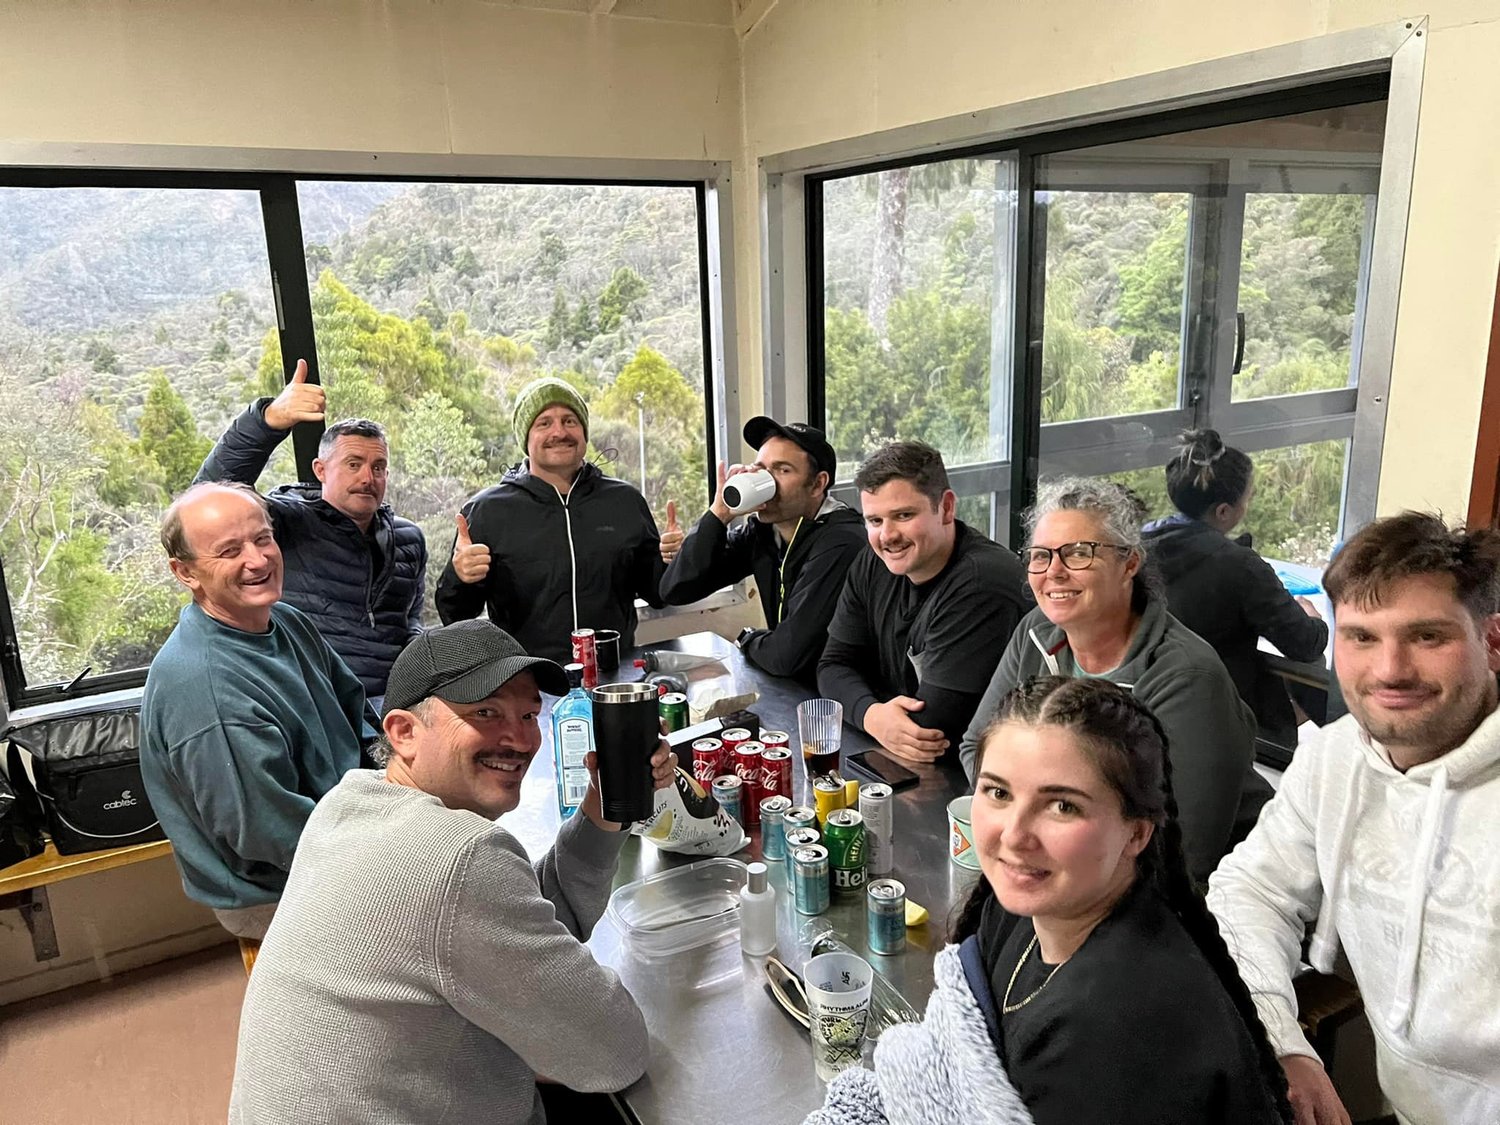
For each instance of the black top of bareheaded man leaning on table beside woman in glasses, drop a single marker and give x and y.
(947, 634)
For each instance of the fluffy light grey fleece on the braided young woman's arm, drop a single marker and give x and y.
(941, 1070)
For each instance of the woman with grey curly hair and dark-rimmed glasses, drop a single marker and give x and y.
(1099, 616)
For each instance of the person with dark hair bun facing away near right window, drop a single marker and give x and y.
(1222, 589)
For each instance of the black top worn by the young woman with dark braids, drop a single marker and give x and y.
(1133, 1030)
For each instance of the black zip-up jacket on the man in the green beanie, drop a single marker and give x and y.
(559, 563)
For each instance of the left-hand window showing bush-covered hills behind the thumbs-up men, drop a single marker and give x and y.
(142, 314)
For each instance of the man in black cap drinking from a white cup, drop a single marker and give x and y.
(799, 547)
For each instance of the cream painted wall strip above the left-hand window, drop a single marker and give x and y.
(395, 76)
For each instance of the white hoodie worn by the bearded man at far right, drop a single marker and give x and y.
(1402, 872)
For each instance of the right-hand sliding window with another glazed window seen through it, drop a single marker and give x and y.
(1208, 269)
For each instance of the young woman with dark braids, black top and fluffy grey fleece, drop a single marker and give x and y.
(1087, 985)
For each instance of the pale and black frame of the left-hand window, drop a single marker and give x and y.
(275, 176)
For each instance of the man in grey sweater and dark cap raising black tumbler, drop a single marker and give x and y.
(419, 965)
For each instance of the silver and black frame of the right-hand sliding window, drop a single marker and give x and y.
(1346, 68)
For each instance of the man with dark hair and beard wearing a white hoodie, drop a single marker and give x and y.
(1387, 832)
